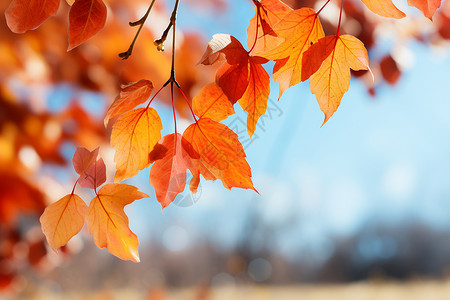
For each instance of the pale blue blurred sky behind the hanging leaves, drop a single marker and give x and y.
(382, 158)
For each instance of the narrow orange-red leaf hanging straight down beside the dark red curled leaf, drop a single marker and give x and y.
(254, 100)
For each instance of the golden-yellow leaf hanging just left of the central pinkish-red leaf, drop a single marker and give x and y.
(134, 135)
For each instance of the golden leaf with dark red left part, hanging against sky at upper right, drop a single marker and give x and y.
(330, 61)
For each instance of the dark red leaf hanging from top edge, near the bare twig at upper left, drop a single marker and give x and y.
(86, 18)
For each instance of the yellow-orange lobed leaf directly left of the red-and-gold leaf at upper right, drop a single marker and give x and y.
(300, 28)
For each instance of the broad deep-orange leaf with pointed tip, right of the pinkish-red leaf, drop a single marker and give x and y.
(221, 155)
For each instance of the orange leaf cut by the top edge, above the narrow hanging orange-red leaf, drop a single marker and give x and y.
(270, 12)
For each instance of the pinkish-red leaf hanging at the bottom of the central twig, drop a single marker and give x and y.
(173, 157)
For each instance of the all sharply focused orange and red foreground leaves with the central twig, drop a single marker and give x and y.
(293, 39)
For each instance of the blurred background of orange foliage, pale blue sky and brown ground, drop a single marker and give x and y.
(356, 209)
